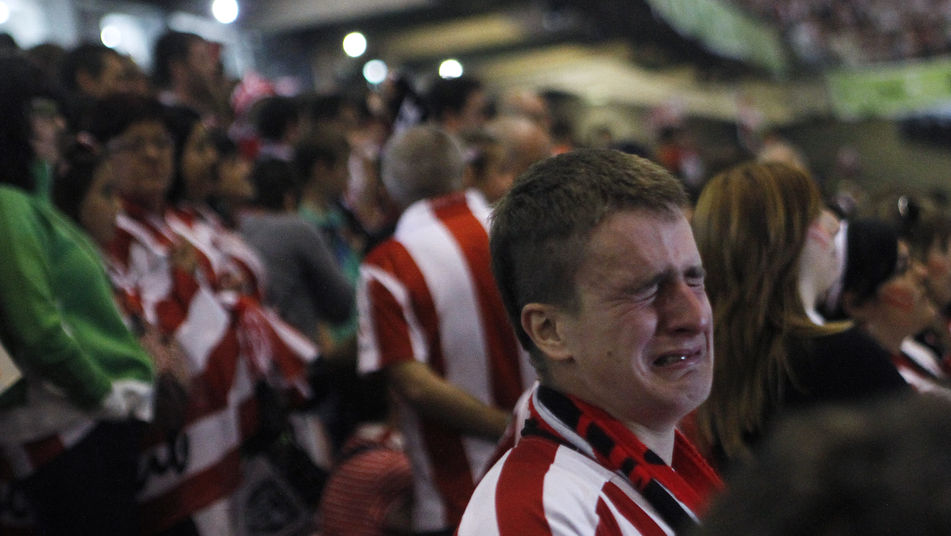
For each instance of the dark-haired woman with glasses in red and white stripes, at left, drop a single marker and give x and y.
(158, 270)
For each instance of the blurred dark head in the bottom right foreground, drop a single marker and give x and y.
(870, 470)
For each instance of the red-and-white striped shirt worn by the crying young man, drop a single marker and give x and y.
(550, 485)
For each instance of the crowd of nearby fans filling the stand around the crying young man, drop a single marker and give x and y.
(423, 312)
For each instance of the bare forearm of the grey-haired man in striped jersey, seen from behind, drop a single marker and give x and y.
(433, 397)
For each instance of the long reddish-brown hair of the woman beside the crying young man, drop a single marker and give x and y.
(750, 224)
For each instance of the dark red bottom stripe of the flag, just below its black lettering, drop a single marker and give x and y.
(200, 490)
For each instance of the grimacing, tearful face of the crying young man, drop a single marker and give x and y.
(641, 340)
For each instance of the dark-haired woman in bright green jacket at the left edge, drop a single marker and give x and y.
(71, 426)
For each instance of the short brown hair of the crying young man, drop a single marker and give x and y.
(540, 228)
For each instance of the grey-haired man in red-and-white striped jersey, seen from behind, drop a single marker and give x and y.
(432, 320)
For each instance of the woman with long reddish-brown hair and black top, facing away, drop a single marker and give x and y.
(769, 246)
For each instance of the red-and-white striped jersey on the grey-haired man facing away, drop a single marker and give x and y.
(428, 294)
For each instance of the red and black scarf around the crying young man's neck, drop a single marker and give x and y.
(678, 492)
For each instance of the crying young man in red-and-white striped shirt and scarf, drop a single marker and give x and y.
(600, 274)
